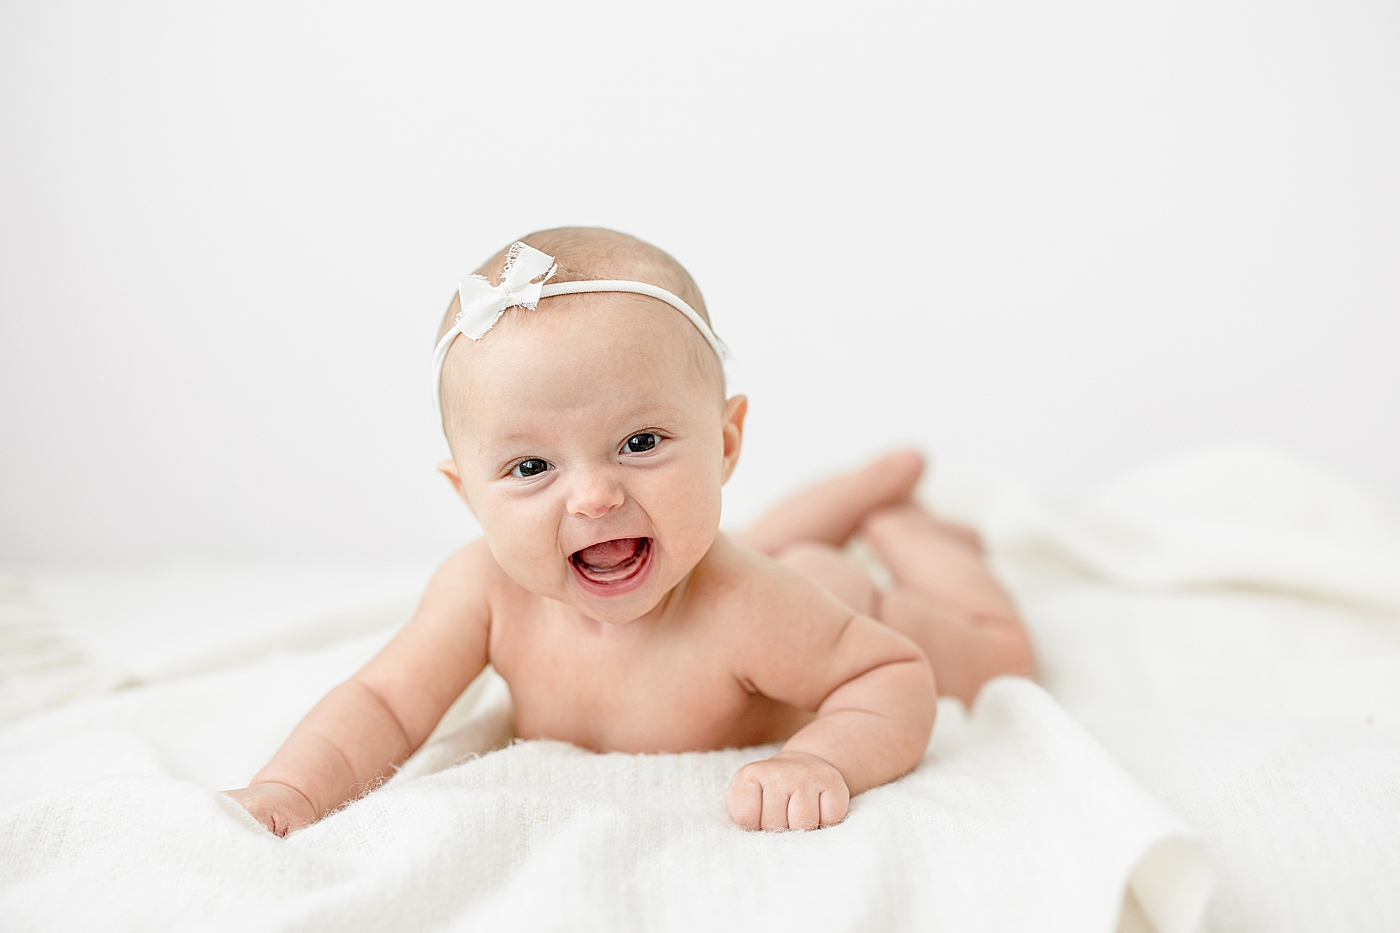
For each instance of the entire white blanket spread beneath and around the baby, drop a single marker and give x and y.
(1258, 704)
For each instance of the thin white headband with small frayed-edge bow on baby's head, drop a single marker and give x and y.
(484, 303)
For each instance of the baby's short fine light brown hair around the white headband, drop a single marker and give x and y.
(593, 254)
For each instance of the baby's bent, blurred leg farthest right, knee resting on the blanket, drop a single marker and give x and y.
(947, 600)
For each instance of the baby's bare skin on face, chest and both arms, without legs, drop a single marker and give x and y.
(591, 448)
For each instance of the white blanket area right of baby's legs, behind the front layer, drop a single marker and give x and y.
(1226, 624)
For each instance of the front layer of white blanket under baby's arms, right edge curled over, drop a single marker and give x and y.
(1014, 822)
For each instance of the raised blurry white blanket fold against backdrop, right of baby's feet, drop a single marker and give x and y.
(1233, 516)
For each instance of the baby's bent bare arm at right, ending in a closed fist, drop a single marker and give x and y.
(874, 697)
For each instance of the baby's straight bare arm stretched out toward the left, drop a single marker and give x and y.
(365, 729)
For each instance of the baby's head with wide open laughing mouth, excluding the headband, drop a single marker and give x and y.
(591, 435)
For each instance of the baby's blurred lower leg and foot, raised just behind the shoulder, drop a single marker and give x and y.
(831, 512)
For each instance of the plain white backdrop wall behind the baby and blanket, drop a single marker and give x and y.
(1041, 240)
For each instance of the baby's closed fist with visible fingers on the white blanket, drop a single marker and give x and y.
(792, 791)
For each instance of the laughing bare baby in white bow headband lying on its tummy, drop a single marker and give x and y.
(584, 404)
